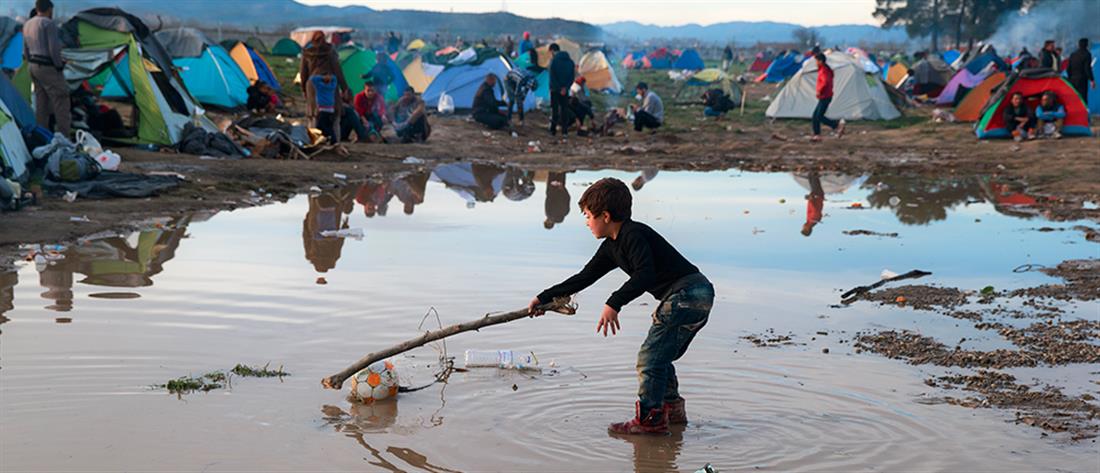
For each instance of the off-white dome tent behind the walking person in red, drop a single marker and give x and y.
(856, 95)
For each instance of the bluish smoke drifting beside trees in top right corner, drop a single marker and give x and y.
(1064, 21)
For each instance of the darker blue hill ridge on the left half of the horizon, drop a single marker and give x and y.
(287, 15)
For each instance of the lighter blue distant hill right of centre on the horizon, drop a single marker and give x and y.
(746, 32)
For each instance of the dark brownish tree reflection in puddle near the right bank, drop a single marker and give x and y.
(919, 202)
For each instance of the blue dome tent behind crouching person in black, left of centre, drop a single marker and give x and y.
(463, 82)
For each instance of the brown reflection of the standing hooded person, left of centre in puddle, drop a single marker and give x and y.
(327, 213)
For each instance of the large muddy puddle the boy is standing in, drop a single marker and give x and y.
(89, 334)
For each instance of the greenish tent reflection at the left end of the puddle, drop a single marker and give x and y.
(113, 262)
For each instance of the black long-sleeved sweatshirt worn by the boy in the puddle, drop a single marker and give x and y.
(654, 266)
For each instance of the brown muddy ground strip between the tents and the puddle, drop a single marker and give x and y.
(1062, 173)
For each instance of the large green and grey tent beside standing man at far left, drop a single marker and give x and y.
(112, 41)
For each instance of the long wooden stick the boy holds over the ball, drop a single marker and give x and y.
(335, 382)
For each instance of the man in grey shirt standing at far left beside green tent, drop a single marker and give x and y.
(42, 50)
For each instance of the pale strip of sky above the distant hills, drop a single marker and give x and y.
(806, 13)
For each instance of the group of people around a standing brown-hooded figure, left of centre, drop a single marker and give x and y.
(337, 114)
